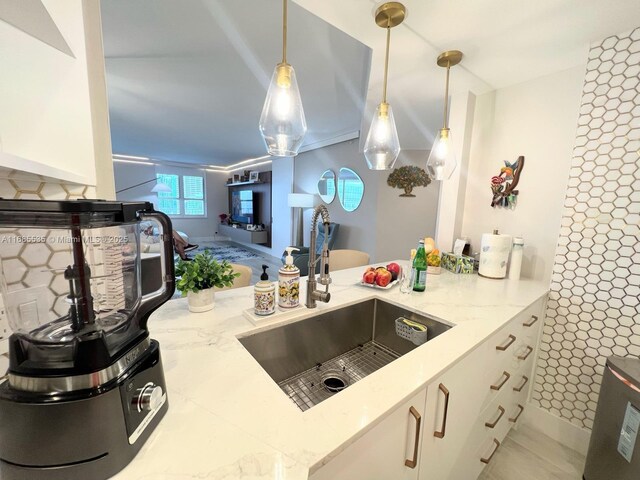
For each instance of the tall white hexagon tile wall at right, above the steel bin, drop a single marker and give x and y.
(594, 305)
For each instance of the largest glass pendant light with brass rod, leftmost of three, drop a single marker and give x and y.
(282, 123)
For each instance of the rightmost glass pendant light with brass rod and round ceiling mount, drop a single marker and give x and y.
(442, 158)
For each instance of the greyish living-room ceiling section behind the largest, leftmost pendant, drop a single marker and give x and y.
(187, 79)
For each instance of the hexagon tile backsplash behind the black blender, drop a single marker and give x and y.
(33, 265)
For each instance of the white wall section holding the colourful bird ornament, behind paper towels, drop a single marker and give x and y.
(536, 119)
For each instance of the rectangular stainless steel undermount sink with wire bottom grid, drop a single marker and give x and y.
(317, 357)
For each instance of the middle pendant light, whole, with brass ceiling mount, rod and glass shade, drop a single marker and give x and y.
(382, 146)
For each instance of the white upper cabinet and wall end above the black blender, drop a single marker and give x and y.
(45, 97)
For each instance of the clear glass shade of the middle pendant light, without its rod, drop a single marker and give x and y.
(382, 146)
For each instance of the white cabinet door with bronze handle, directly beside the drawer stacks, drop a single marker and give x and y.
(454, 404)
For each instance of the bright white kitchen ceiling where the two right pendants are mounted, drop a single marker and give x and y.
(505, 42)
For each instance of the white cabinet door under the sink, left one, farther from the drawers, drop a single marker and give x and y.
(387, 452)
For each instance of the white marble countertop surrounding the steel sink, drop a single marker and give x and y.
(228, 419)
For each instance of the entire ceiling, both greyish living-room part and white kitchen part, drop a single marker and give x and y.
(187, 79)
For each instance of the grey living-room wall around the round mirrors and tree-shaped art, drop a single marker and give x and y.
(385, 225)
